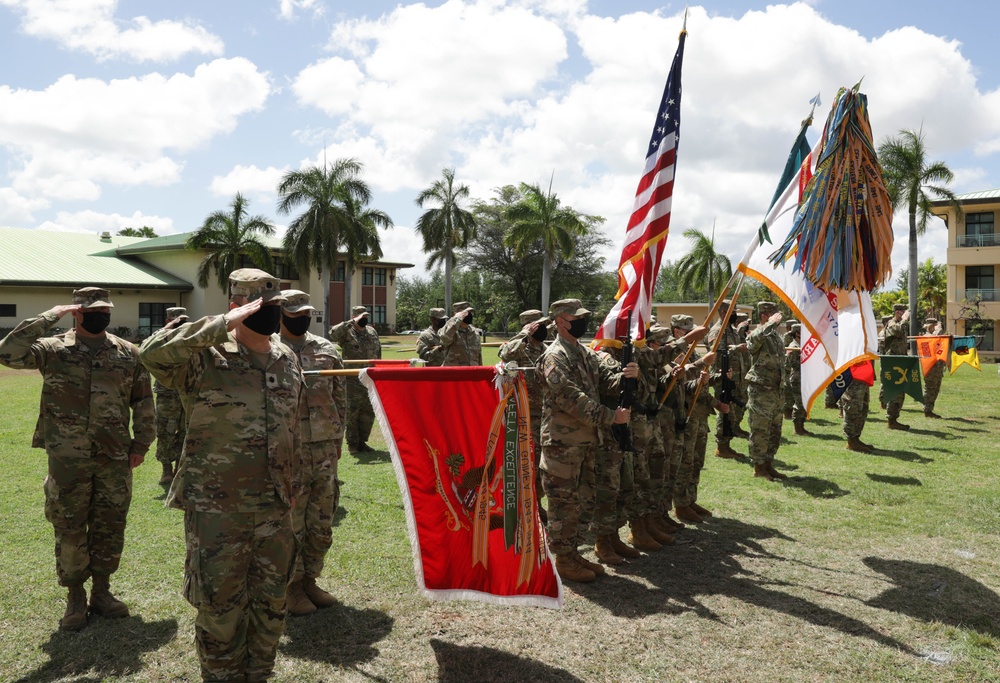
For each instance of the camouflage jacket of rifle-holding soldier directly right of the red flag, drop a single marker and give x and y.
(574, 381)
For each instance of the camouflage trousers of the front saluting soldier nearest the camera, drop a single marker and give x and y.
(236, 574)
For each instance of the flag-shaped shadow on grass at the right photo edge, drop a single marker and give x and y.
(933, 593)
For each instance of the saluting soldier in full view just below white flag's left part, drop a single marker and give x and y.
(765, 407)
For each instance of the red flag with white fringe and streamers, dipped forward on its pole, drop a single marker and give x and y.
(461, 447)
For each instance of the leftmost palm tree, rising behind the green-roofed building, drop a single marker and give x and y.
(227, 237)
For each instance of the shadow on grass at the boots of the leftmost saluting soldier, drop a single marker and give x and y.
(105, 649)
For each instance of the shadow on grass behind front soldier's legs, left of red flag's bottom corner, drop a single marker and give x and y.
(339, 635)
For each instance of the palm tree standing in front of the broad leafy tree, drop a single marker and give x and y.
(538, 217)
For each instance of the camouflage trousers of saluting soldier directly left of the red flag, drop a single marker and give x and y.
(312, 517)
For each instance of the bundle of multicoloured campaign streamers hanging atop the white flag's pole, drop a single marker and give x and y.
(842, 234)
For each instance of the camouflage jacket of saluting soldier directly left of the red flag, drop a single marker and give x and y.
(326, 397)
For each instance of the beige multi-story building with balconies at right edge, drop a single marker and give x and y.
(973, 259)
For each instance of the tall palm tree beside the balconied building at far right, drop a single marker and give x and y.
(912, 181)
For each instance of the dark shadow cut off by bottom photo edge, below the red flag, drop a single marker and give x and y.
(458, 663)
